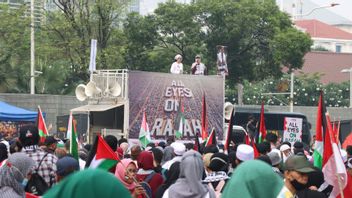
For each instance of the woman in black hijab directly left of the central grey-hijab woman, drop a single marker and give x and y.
(171, 177)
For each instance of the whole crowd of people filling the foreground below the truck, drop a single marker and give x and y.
(162, 169)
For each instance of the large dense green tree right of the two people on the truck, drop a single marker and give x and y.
(255, 33)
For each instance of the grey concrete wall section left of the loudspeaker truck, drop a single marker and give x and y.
(52, 105)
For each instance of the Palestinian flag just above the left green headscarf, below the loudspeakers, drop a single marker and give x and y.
(101, 156)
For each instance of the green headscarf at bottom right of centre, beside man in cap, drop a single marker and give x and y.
(253, 178)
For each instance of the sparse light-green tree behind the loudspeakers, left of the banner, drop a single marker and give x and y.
(80, 21)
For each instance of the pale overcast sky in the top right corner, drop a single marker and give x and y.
(344, 9)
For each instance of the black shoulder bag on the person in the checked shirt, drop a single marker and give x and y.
(36, 184)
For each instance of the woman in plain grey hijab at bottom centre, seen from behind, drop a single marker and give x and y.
(189, 184)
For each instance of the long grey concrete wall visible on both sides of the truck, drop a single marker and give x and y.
(56, 105)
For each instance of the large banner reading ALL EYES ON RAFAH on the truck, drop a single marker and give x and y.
(159, 94)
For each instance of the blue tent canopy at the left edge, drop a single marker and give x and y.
(12, 113)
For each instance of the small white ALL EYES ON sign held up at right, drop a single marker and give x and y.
(293, 129)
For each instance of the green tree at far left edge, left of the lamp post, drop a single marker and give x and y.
(14, 50)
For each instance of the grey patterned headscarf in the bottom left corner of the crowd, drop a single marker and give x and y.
(15, 170)
